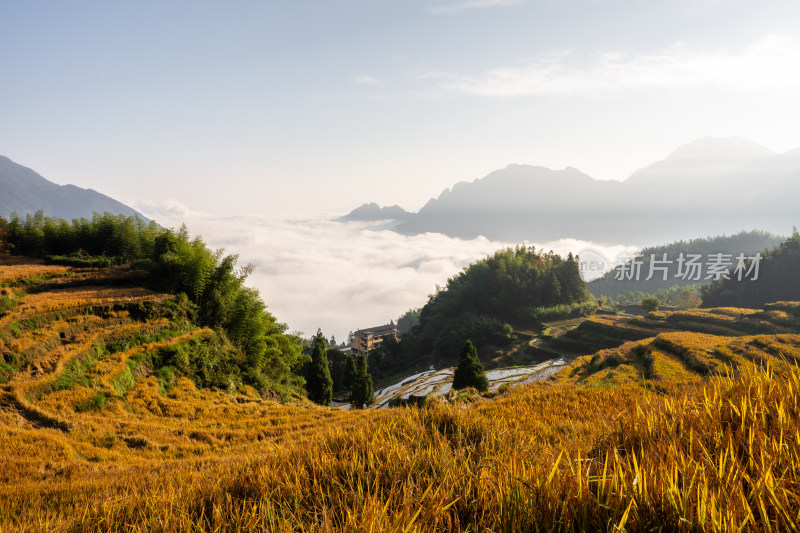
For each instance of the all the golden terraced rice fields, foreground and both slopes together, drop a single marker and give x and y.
(94, 439)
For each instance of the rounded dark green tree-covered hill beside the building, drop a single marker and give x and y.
(484, 303)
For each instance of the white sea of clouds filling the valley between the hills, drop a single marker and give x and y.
(316, 272)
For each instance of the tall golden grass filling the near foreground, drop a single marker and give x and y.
(708, 455)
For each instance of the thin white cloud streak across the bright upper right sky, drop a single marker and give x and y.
(765, 65)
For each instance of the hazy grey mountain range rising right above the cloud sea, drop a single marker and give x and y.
(709, 186)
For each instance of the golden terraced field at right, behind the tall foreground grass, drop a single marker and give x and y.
(687, 345)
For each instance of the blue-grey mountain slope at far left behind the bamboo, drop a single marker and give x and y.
(23, 191)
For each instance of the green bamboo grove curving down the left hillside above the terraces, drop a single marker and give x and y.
(208, 286)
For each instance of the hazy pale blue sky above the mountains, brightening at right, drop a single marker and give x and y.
(277, 106)
